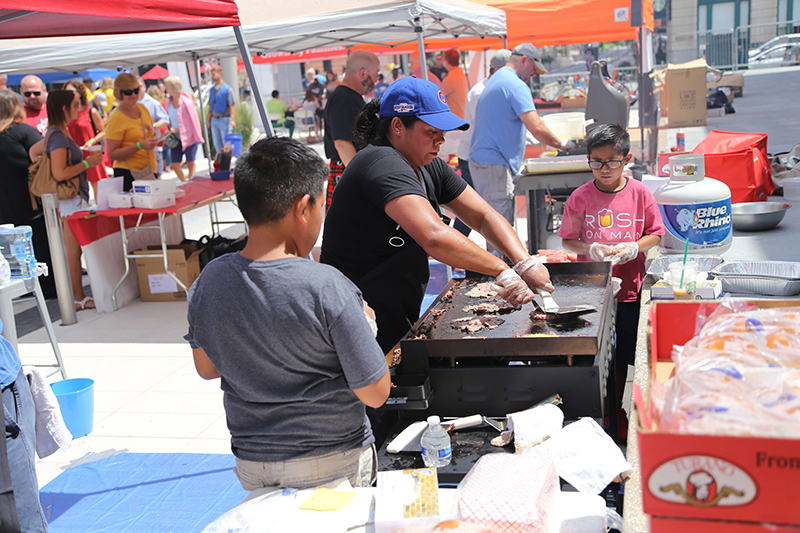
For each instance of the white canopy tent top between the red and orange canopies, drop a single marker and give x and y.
(266, 28)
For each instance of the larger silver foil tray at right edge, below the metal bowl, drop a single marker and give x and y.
(769, 278)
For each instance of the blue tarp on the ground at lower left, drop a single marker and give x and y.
(147, 492)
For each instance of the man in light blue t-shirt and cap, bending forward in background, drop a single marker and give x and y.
(505, 110)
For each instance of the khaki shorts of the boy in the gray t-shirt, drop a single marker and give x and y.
(359, 466)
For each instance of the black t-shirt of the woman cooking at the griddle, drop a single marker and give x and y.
(359, 235)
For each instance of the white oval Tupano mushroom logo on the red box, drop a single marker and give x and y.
(702, 481)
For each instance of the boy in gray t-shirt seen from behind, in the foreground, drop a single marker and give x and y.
(297, 359)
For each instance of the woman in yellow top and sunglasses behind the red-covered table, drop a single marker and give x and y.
(130, 137)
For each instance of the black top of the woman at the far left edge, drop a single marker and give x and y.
(15, 201)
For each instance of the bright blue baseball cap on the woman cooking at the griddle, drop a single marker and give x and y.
(414, 97)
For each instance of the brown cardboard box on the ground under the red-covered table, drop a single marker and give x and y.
(155, 285)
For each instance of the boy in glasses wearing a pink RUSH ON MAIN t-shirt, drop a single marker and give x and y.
(616, 219)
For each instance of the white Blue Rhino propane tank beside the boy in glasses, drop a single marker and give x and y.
(695, 207)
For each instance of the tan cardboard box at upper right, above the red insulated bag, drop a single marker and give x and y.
(683, 93)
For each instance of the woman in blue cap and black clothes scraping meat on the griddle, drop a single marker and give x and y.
(385, 219)
